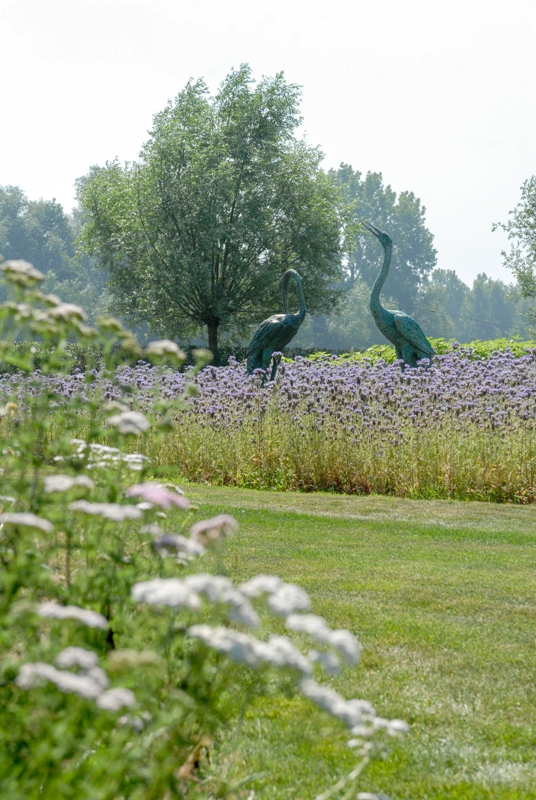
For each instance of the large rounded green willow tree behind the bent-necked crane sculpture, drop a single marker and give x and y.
(223, 199)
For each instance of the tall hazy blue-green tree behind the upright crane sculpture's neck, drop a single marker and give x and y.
(402, 216)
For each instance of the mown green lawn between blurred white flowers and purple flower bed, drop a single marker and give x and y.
(443, 598)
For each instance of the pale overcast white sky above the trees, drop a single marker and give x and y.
(438, 96)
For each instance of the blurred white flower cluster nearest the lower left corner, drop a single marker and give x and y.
(91, 684)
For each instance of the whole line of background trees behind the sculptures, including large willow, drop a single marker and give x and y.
(189, 242)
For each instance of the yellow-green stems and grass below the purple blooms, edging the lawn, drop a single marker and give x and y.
(448, 460)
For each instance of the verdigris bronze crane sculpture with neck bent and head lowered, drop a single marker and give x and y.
(276, 332)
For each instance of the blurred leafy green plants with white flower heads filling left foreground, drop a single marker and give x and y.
(128, 654)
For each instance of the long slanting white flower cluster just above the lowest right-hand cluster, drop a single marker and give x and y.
(246, 649)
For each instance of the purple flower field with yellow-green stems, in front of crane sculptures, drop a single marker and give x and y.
(463, 427)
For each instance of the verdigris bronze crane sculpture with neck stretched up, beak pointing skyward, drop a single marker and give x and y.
(410, 342)
